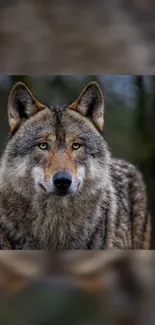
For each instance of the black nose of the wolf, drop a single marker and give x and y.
(62, 180)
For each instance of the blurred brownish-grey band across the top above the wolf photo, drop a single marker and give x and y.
(63, 36)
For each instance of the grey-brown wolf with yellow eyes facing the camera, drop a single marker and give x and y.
(60, 187)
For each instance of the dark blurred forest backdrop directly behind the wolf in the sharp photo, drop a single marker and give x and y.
(129, 115)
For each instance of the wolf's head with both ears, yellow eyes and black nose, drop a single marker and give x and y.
(55, 150)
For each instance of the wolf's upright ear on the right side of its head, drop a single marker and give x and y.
(90, 103)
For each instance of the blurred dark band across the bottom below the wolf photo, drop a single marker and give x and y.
(77, 287)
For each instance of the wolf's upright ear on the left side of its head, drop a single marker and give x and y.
(21, 105)
